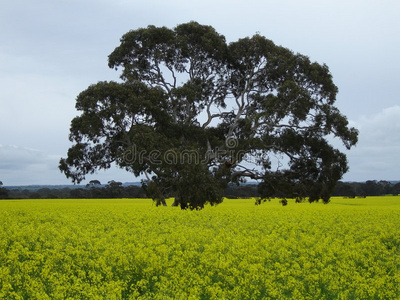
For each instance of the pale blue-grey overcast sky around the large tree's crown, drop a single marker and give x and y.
(51, 50)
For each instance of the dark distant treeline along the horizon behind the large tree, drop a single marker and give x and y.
(118, 190)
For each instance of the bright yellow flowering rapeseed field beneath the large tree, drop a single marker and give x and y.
(130, 249)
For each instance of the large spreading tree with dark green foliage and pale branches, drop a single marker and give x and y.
(193, 113)
